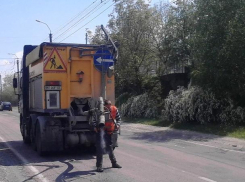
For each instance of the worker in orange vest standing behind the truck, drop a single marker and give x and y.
(109, 128)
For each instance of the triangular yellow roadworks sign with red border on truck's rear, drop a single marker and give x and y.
(54, 62)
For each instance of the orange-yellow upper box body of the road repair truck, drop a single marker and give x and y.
(67, 63)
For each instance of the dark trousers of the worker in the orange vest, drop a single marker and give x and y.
(104, 145)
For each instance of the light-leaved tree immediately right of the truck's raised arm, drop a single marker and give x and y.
(131, 26)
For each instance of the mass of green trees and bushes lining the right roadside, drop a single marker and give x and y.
(208, 35)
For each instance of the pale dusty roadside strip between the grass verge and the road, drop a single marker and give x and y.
(166, 134)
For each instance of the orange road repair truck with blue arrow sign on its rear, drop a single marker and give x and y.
(61, 89)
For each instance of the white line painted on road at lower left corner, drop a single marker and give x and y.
(25, 161)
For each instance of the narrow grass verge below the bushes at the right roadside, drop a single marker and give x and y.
(221, 130)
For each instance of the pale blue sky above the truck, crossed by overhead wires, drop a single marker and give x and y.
(66, 19)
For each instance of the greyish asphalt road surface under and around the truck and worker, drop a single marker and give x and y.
(146, 154)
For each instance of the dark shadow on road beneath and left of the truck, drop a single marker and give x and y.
(8, 158)
